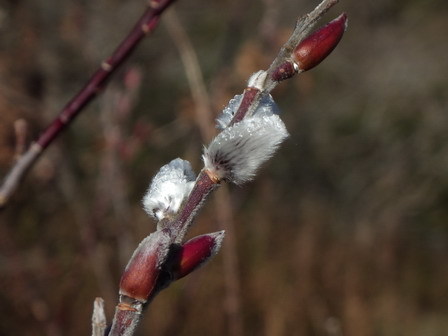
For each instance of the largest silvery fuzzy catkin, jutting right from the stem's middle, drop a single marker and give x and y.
(238, 151)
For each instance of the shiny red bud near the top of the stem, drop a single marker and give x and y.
(316, 47)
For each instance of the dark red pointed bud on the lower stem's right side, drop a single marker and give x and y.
(196, 252)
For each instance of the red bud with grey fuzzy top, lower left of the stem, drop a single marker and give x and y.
(141, 273)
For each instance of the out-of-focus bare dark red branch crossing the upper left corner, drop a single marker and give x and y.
(146, 24)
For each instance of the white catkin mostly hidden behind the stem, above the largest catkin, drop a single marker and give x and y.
(266, 106)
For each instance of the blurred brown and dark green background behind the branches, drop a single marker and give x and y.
(343, 233)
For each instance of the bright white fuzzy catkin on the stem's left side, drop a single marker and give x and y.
(168, 189)
